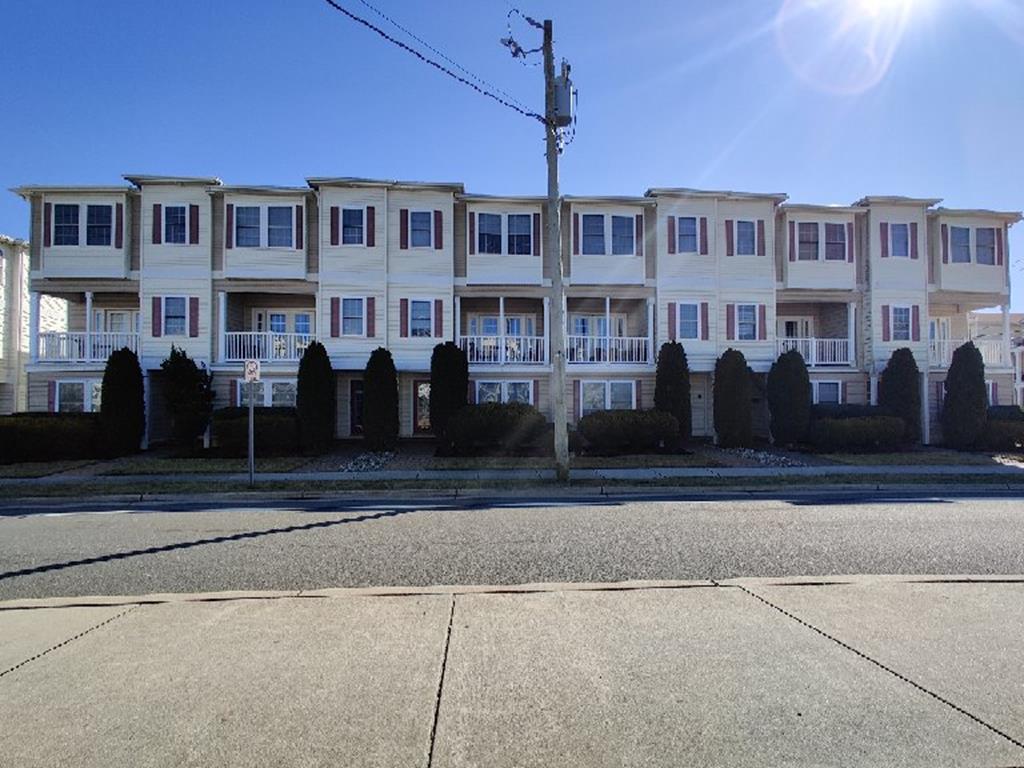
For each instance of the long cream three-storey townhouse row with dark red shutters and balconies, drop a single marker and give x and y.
(231, 274)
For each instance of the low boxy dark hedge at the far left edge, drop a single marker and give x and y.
(42, 438)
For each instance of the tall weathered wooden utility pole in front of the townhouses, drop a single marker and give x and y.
(553, 246)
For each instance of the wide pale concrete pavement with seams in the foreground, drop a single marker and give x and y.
(879, 671)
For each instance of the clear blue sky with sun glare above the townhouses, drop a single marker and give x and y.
(742, 95)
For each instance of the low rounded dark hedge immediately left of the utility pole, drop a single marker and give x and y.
(496, 429)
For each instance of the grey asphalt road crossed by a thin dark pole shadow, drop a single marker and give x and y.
(73, 550)
